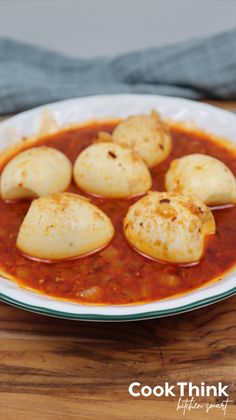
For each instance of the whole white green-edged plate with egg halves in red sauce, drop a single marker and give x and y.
(117, 208)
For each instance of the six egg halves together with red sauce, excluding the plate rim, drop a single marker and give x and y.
(118, 212)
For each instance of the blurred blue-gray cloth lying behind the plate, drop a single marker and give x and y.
(198, 68)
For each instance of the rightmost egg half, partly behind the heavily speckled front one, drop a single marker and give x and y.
(208, 178)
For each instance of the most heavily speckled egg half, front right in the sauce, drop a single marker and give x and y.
(169, 227)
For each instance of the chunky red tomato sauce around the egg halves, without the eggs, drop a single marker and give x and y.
(118, 274)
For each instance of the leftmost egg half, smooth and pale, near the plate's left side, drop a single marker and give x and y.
(35, 172)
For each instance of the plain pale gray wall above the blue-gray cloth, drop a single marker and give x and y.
(98, 27)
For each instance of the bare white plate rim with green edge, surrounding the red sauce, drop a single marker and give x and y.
(76, 111)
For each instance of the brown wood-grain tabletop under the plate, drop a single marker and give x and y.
(57, 369)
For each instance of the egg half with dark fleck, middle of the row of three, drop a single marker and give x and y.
(111, 170)
